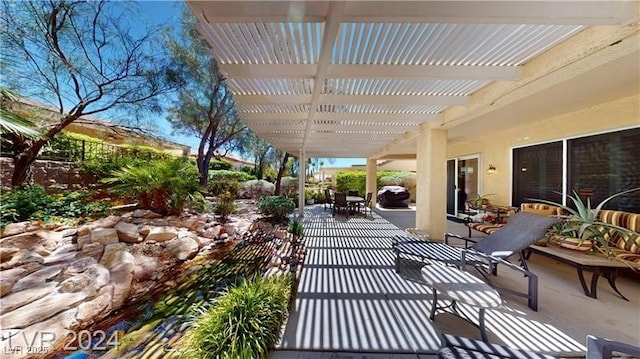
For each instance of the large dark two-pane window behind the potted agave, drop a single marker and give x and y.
(597, 167)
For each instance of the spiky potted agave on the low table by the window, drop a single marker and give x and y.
(581, 230)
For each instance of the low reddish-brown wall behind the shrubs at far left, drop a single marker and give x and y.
(49, 173)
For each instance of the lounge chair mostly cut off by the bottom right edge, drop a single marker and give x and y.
(460, 348)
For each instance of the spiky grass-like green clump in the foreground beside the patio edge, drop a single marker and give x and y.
(243, 323)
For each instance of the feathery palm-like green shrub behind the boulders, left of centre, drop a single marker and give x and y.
(163, 186)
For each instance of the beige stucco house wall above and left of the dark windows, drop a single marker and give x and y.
(496, 148)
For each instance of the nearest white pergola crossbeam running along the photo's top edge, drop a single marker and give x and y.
(604, 12)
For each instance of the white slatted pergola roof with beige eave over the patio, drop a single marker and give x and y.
(359, 78)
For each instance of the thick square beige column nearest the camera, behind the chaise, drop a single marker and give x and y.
(431, 183)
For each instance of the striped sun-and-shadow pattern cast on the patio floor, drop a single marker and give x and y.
(351, 300)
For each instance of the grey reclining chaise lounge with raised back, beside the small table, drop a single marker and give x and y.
(484, 254)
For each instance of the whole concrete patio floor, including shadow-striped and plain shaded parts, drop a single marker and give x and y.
(352, 304)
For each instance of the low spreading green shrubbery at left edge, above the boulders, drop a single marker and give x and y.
(34, 203)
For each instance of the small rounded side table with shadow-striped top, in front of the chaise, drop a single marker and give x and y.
(458, 286)
